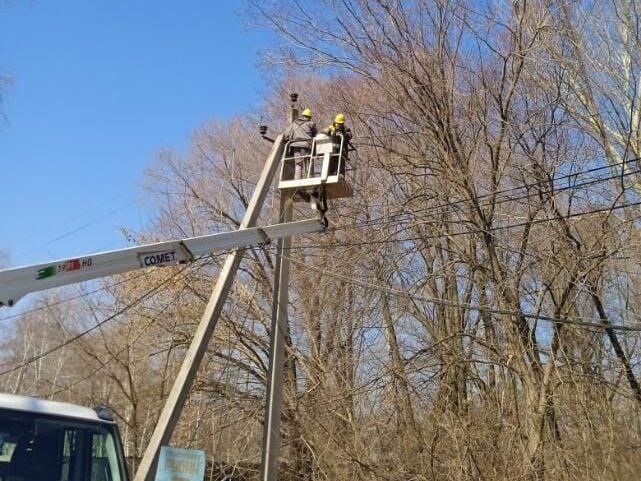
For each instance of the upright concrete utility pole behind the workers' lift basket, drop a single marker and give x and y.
(279, 333)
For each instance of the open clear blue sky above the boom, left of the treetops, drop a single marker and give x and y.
(98, 87)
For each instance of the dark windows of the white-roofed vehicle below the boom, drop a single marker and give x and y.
(35, 447)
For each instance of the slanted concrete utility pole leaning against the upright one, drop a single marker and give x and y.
(182, 385)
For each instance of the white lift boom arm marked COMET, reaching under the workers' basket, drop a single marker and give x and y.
(17, 282)
